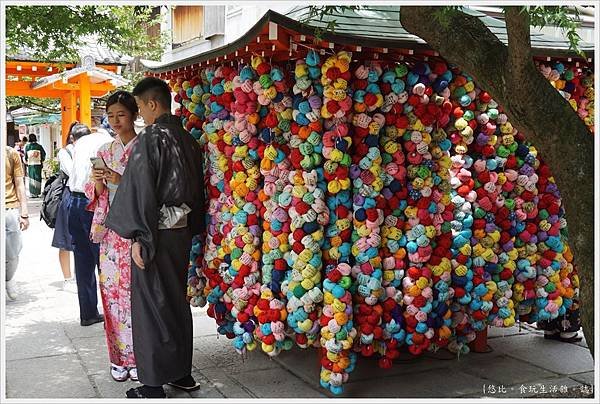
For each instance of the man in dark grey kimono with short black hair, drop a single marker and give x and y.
(160, 206)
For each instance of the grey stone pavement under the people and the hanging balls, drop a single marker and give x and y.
(49, 355)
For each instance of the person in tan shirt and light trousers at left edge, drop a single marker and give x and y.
(16, 216)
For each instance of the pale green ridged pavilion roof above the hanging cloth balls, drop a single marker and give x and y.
(369, 26)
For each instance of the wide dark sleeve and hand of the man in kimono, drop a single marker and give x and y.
(134, 212)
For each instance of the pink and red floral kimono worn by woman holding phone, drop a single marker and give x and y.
(115, 260)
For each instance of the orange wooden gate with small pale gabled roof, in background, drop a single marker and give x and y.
(74, 86)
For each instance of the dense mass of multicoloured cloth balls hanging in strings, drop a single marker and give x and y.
(365, 208)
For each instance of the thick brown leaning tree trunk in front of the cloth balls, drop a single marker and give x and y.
(535, 108)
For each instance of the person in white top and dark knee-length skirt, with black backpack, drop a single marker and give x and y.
(61, 238)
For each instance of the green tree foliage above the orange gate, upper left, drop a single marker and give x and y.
(55, 32)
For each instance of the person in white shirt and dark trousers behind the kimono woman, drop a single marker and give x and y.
(86, 146)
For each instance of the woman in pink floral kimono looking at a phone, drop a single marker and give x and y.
(115, 251)
